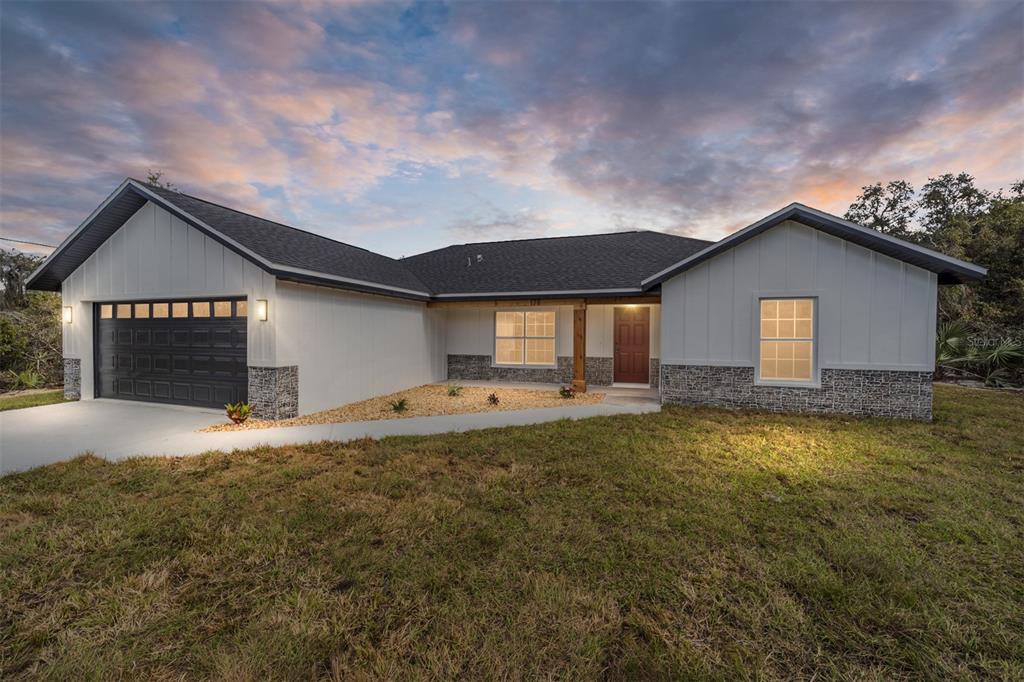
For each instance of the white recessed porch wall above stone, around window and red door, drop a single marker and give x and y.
(472, 331)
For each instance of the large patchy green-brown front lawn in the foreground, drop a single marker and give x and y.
(693, 544)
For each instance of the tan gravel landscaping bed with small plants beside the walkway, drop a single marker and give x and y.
(428, 401)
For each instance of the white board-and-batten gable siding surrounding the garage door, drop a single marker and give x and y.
(157, 257)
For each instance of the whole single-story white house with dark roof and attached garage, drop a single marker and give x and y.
(169, 299)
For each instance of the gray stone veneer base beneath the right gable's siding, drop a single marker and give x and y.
(902, 395)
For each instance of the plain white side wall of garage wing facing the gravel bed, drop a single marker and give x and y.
(352, 347)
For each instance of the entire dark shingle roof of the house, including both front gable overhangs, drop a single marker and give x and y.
(630, 263)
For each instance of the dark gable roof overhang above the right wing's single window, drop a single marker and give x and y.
(951, 271)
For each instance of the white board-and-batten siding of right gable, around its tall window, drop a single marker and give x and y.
(875, 313)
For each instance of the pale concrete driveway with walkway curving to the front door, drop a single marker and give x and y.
(118, 430)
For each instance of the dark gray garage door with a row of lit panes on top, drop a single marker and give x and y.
(183, 352)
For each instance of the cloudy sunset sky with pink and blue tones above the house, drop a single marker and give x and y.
(407, 127)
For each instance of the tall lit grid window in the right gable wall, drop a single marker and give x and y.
(787, 339)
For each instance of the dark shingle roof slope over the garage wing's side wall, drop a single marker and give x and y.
(296, 248)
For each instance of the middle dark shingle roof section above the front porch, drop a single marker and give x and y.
(617, 261)
